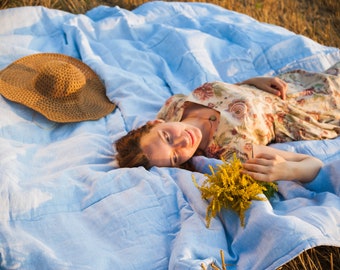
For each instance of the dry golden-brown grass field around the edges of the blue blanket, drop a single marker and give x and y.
(316, 19)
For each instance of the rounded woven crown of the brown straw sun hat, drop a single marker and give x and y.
(59, 79)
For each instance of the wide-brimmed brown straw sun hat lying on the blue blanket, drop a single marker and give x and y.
(60, 87)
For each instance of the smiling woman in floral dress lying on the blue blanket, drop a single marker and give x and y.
(219, 119)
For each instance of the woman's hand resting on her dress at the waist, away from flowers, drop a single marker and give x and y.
(272, 85)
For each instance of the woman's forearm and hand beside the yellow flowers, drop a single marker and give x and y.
(270, 164)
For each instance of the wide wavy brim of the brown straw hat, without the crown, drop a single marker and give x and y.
(17, 84)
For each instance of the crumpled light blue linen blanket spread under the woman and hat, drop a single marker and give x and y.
(64, 203)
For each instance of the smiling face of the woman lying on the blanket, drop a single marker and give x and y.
(170, 144)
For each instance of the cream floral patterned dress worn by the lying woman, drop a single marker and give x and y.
(249, 116)
